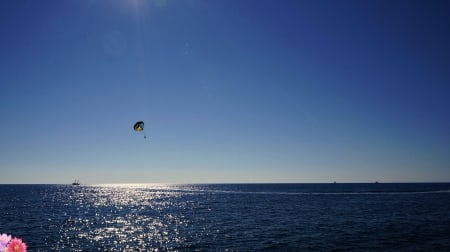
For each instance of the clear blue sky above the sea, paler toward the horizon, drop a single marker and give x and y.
(230, 91)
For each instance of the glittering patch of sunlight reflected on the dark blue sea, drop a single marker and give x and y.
(126, 216)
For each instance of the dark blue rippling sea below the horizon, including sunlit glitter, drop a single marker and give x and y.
(229, 217)
